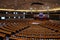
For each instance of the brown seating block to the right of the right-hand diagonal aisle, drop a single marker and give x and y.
(52, 25)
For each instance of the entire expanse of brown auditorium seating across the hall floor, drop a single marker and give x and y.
(33, 31)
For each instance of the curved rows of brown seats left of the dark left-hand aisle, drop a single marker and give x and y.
(8, 27)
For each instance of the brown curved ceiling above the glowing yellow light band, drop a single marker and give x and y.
(26, 4)
